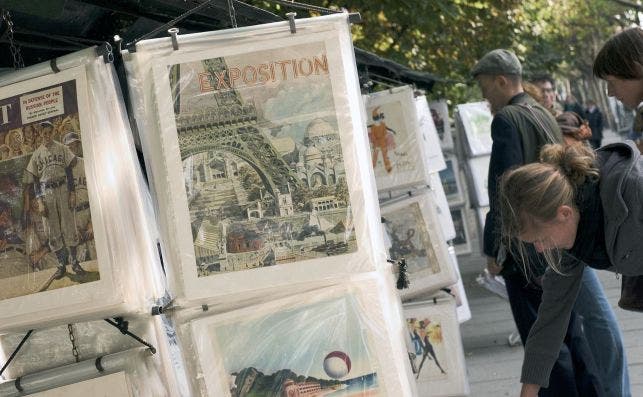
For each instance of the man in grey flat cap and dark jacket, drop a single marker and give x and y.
(520, 127)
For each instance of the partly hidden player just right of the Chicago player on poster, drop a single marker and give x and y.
(86, 249)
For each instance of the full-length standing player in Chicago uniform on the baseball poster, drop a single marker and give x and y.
(50, 173)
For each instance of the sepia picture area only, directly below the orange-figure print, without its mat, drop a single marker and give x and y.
(410, 239)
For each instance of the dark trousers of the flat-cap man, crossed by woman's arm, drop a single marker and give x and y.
(575, 372)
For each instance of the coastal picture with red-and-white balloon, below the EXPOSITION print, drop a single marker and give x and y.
(319, 349)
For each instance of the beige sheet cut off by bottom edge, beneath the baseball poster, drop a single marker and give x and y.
(104, 386)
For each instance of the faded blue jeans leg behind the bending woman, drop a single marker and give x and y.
(603, 334)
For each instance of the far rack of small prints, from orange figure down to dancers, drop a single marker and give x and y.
(407, 157)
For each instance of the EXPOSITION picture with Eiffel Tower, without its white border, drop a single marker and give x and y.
(262, 159)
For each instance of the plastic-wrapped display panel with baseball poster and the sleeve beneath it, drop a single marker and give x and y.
(78, 249)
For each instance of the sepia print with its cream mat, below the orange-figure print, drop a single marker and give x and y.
(413, 229)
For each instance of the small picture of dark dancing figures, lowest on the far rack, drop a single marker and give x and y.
(429, 361)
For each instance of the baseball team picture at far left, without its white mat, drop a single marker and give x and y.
(46, 233)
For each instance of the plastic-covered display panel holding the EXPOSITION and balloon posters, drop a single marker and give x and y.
(267, 207)
